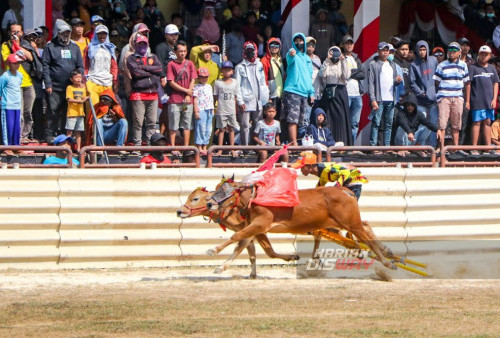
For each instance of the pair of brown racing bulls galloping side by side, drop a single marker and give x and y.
(322, 212)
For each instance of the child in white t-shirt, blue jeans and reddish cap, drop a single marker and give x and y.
(203, 110)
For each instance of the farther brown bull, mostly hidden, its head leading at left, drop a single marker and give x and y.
(196, 205)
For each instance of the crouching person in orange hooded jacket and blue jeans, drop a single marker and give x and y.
(111, 121)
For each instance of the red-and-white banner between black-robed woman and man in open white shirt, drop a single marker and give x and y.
(366, 38)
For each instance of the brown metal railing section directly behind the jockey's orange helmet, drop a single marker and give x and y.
(256, 148)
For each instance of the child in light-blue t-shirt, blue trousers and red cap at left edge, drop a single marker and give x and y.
(10, 94)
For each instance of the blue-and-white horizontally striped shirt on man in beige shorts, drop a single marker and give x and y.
(451, 78)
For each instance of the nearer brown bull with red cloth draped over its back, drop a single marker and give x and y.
(322, 207)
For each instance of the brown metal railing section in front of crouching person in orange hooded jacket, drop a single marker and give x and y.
(88, 149)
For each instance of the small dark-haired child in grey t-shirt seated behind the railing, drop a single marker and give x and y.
(267, 131)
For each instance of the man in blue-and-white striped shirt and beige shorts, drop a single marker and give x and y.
(451, 77)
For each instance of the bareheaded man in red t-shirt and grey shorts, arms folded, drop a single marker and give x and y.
(181, 74)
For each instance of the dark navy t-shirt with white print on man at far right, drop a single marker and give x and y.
(482, 81)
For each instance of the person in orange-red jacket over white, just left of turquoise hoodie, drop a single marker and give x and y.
(274, 73)
